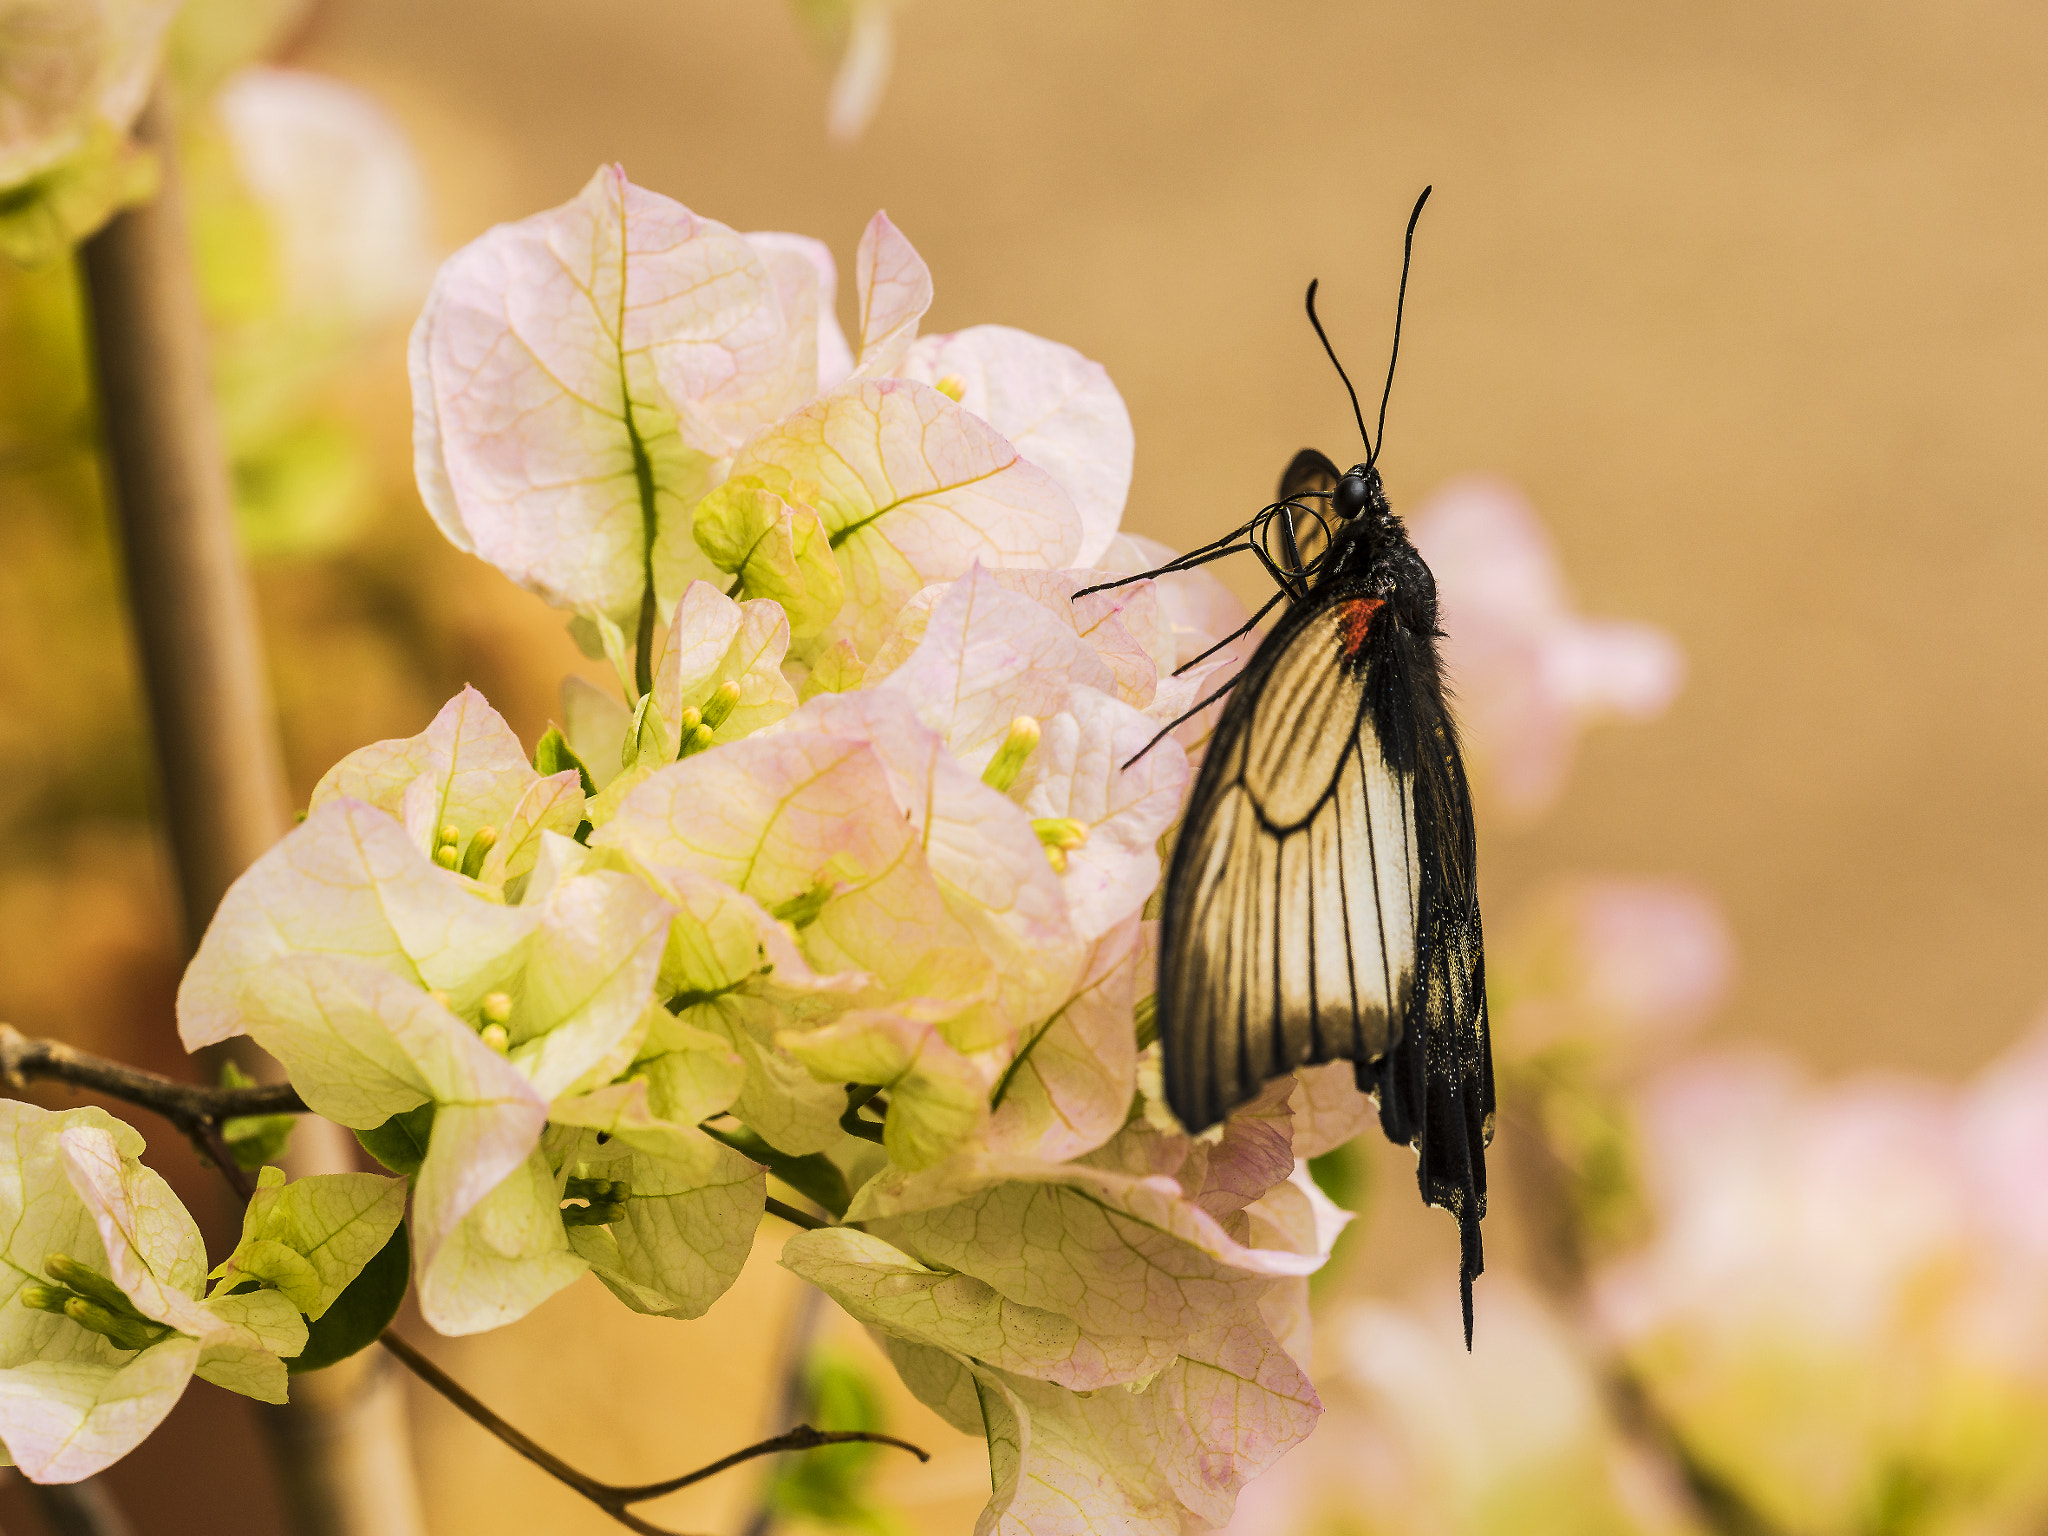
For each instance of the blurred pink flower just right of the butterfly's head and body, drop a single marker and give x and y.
(1527, 671)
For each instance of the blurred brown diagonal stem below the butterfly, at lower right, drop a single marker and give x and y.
(1562, 1267)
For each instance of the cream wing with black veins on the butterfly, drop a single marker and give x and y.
(1293, 898)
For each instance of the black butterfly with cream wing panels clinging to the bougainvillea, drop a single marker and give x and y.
(1322, 902)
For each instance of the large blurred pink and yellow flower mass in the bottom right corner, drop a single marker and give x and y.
(1848, 1287)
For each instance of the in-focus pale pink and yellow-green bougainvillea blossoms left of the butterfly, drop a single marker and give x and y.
(845, 888)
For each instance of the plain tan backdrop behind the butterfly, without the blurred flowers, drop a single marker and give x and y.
(1748, 298)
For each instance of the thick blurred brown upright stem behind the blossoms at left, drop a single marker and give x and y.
(341, 1447)
